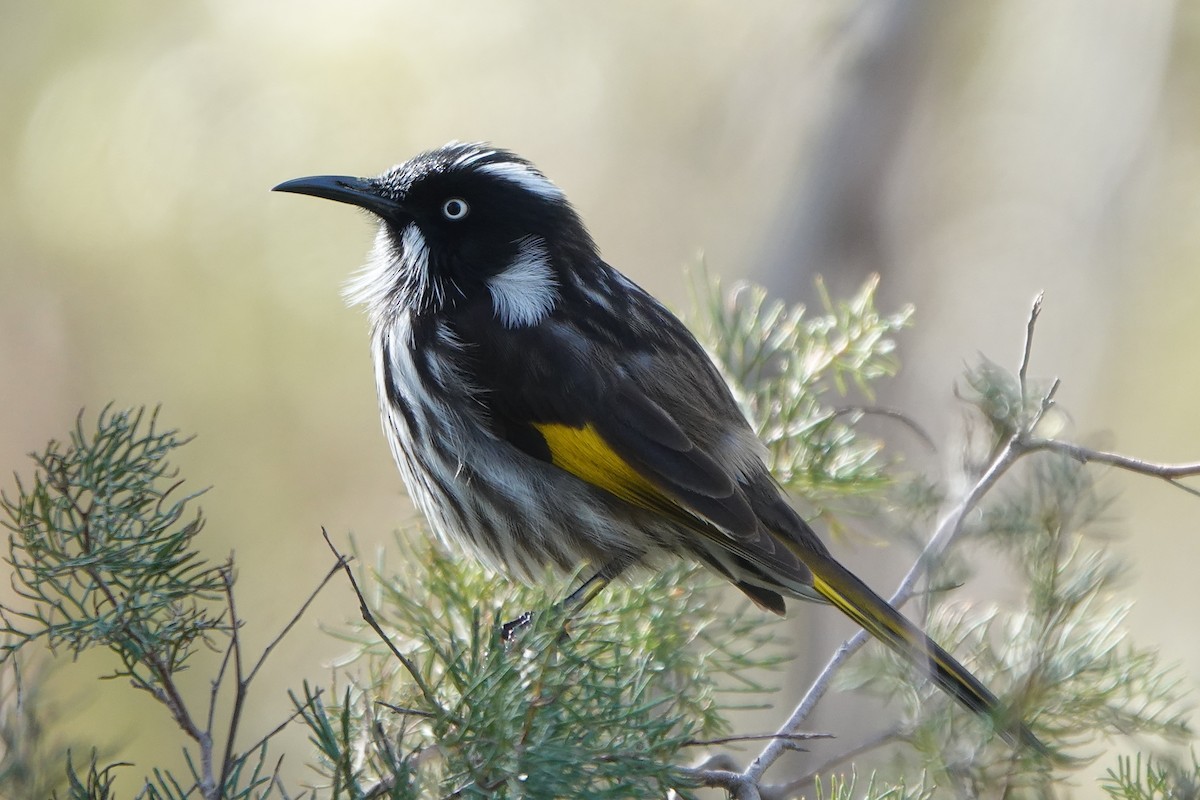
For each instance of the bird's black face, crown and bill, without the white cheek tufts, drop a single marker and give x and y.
(472, 204)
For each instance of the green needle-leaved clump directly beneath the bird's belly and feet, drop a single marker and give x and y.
(608, 711)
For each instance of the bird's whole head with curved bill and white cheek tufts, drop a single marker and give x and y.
(463, 224)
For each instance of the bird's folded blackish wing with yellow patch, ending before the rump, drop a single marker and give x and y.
(601, 406)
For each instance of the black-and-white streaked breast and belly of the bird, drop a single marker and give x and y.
(467, 454)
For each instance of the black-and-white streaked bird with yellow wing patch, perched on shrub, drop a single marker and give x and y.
(544, 410)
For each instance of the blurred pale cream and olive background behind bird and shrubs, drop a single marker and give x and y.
(973, 154)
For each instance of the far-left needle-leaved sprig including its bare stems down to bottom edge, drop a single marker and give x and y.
(103, 554)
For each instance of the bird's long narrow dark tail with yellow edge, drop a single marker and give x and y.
(842, 588)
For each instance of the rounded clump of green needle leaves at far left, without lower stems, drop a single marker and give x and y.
(103, 551)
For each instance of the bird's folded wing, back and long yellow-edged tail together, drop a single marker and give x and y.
(645, 419)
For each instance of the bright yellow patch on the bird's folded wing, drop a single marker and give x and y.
(585, 454)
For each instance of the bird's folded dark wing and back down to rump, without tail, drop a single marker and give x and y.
(634, 407)
